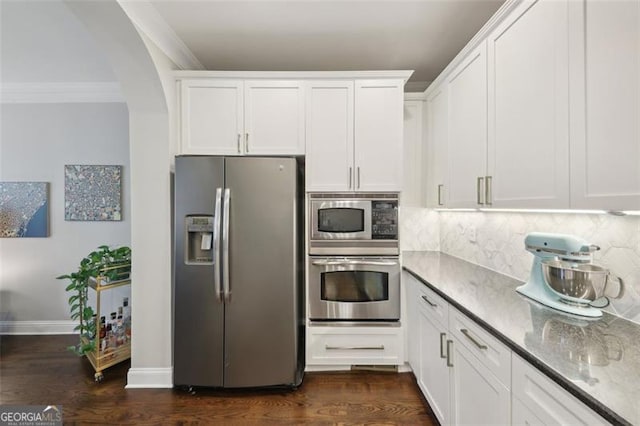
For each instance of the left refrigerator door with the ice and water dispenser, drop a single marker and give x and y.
(198, 306)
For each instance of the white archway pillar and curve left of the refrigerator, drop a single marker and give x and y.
(150, 158)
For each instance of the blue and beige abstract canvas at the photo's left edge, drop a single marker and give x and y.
(24, 209)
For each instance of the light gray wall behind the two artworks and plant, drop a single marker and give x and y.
(36, 141)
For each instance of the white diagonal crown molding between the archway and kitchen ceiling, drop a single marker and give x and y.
(147, 20)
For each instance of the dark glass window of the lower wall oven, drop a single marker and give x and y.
(354, 286)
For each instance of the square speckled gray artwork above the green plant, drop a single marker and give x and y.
(92, 193)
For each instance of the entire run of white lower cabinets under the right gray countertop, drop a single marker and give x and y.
(469, 377)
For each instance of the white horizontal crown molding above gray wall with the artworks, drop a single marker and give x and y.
(64, 92)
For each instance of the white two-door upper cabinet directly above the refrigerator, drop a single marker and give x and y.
(236, 117)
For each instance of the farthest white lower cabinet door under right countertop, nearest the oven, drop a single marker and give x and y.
(433, 376)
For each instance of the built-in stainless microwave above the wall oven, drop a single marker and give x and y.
(353, 224)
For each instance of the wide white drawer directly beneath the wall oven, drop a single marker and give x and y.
(354, 345)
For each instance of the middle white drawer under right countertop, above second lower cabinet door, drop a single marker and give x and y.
(489, 350)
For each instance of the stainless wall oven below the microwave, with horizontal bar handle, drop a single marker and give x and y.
(354, 288)
